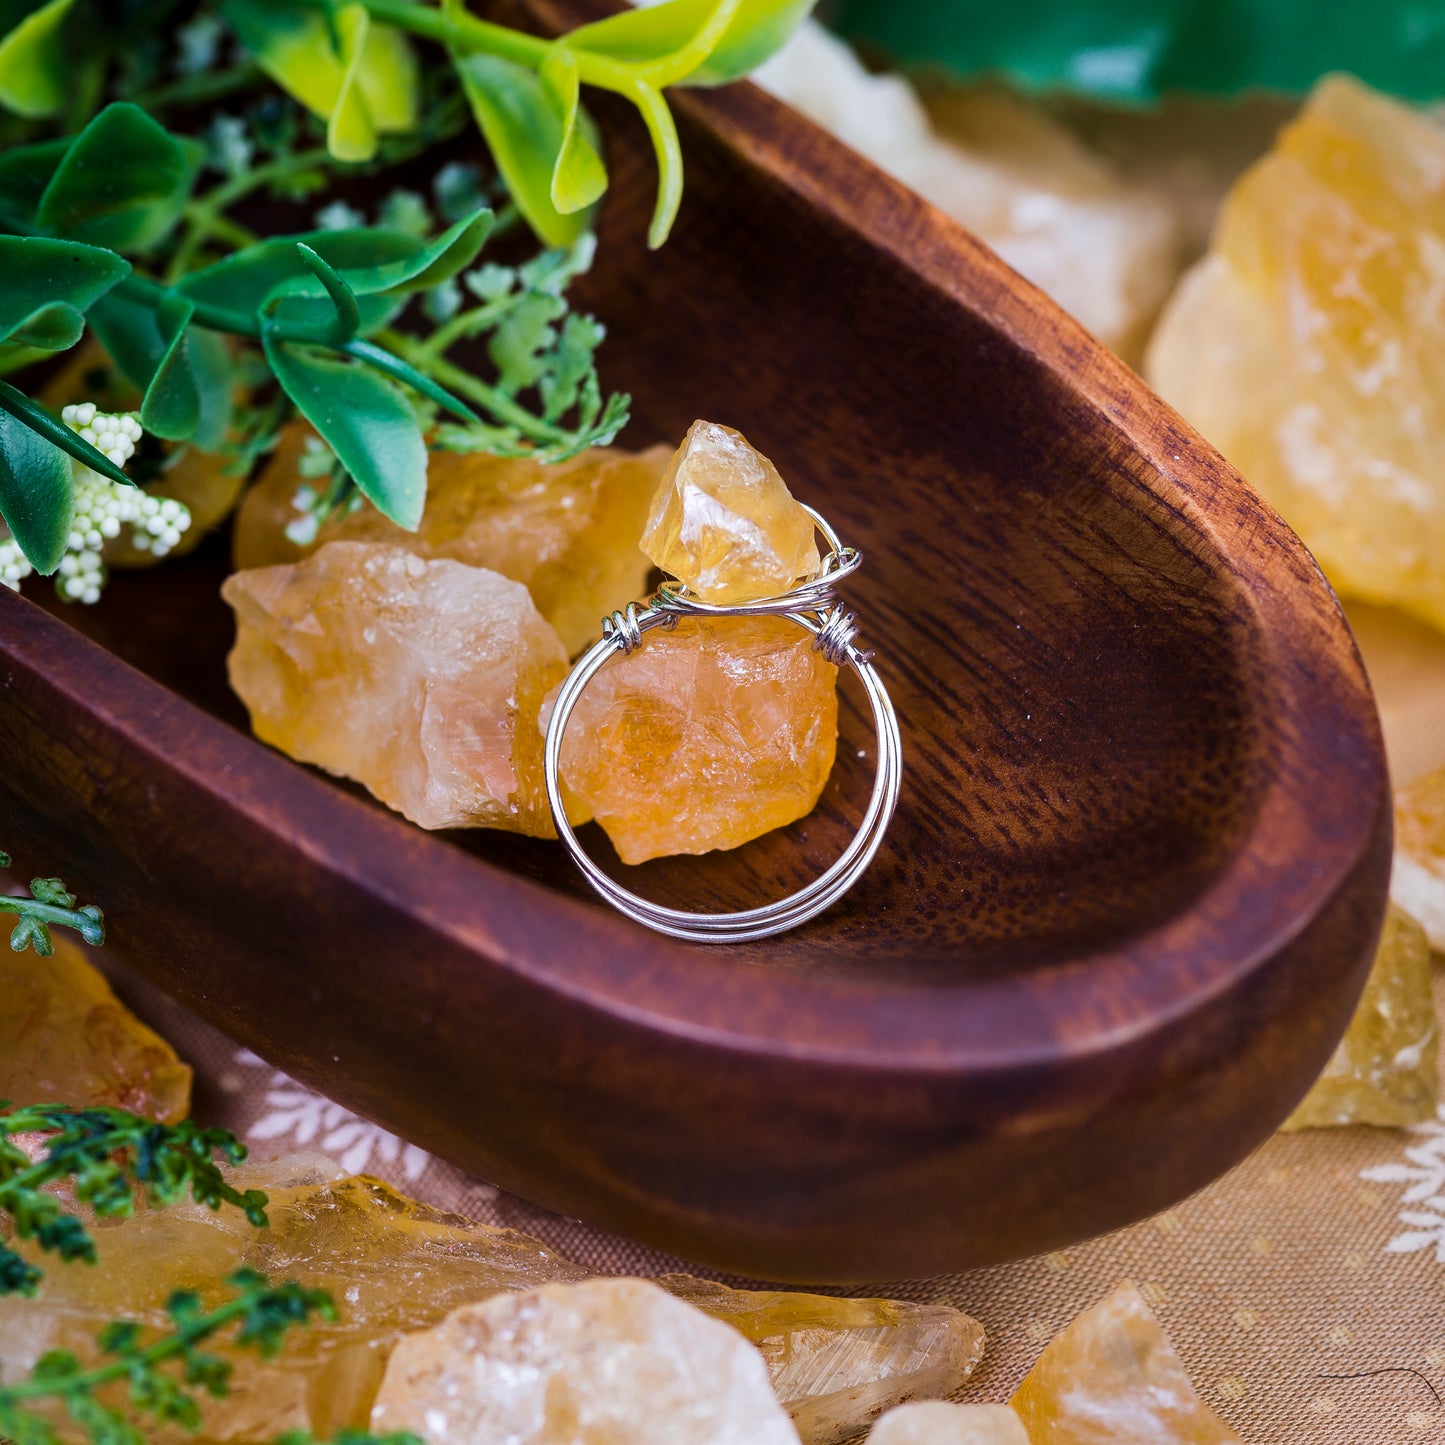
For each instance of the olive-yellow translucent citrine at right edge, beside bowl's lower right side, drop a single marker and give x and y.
(1386, 1067)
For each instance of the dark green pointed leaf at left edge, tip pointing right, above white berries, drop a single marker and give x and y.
(47, 285)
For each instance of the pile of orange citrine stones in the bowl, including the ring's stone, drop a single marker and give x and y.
(414, 665)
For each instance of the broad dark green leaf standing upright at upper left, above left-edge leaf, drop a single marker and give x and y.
(122, 184)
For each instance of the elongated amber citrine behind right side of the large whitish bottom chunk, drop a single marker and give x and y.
(878, 1352)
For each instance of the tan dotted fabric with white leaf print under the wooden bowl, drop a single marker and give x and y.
(1321, 1256)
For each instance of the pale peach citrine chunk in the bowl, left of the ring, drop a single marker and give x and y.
(418, 678)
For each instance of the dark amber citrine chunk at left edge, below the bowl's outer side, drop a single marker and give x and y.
(67, 1040)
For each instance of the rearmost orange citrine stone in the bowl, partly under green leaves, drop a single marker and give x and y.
(569, 532)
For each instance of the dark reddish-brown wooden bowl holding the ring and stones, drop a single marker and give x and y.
(1125, 910)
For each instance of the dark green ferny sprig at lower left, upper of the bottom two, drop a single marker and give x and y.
(108, 1157)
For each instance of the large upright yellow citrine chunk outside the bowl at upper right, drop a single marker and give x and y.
(1308, 345)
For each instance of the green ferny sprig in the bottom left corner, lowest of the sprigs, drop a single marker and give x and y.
(262, 1313)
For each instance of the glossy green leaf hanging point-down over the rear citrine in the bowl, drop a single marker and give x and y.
(365, 420)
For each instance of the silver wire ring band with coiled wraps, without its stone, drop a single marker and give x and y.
(814, 608)
